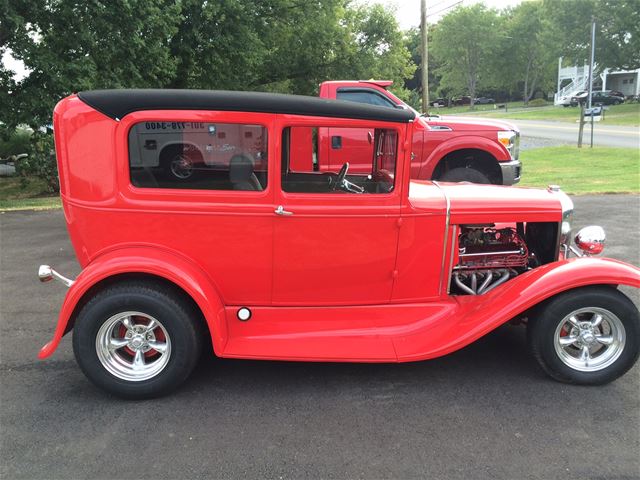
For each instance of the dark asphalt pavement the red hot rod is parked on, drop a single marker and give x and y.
(484, 412)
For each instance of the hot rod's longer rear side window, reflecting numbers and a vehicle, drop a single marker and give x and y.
(198, 155)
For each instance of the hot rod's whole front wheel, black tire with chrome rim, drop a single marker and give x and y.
(588, 336)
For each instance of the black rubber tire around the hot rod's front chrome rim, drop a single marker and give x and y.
(544, 324)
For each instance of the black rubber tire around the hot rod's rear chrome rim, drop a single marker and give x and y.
(174, 313)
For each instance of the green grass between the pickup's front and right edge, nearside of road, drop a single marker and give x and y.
(582, 171)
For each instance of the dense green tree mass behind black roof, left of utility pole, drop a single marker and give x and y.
(276, 45)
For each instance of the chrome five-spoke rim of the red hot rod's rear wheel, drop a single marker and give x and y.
(133, 346)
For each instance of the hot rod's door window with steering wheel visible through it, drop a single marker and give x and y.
(338, 160)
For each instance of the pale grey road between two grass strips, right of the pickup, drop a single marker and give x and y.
(564, 132)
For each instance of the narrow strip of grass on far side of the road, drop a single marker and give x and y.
(626, 114)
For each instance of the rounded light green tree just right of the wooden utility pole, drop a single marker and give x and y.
(464, 44)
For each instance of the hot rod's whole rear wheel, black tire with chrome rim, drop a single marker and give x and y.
(136, 340)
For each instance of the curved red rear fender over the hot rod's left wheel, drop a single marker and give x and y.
(152, 261)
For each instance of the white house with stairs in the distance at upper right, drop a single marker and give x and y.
(575, 78)
